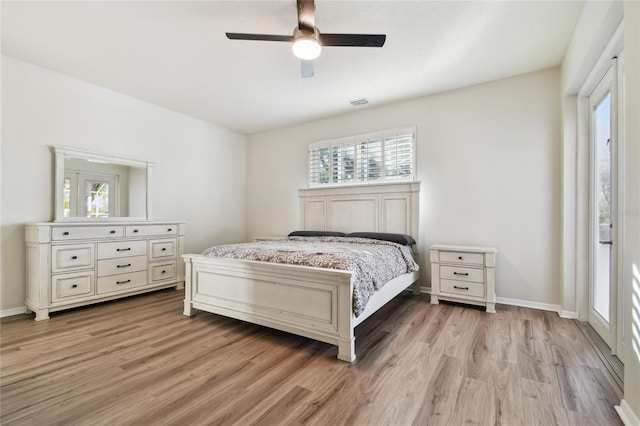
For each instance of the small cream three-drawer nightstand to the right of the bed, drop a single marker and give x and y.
(463, 274)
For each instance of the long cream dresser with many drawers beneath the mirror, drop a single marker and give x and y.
(76, 264)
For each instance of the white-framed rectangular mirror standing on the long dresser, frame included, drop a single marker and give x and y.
(90, 186)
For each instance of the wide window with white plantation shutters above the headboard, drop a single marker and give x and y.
(386, 155)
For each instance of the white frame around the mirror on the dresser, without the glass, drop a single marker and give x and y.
(61, 152)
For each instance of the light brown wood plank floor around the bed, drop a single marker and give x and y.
(139, 361)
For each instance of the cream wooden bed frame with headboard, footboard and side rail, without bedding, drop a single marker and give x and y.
(307, 300)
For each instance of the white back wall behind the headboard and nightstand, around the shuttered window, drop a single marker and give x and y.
(488, 160)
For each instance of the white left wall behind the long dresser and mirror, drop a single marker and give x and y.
(199, 173)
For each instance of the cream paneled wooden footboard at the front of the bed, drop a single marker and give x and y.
(308, 301)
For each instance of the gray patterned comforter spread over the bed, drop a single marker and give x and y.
(372, 262)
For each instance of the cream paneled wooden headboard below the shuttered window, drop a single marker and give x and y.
(388, 207)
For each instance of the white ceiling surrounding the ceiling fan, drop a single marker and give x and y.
(175, 53)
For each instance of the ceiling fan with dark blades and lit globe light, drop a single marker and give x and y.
(308, 41)
